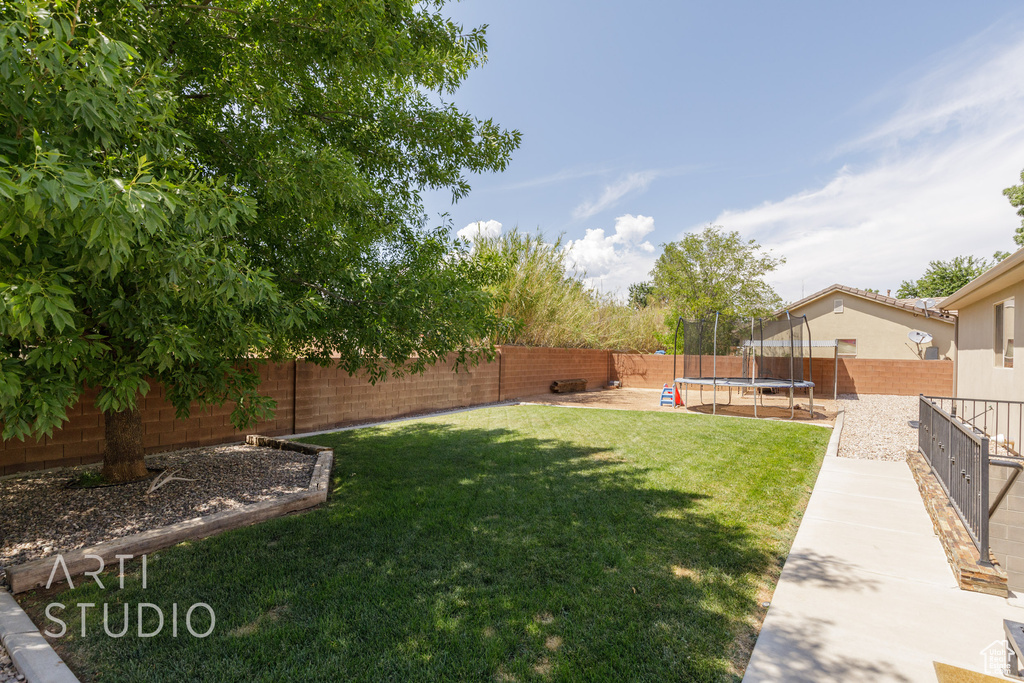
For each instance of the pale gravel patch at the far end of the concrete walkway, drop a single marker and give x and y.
(878, 428)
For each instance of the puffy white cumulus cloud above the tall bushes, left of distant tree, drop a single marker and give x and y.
(614, 262)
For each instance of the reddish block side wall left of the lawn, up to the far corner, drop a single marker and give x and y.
(312, 399)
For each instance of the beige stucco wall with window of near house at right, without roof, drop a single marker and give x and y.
(977, 373)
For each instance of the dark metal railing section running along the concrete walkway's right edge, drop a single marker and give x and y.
(959, 455)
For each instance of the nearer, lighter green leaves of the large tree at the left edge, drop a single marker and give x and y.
(109, 238)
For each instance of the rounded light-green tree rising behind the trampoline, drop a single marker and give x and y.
(713, 272)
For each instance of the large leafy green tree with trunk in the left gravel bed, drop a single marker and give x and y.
(192, 189)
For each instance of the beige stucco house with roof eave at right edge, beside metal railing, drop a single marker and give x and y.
(988, 332)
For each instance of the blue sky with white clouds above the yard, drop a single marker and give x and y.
(860, 141)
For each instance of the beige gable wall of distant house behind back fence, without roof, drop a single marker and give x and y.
(880, 330)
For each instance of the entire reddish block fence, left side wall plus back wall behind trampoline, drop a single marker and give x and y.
(312, 399)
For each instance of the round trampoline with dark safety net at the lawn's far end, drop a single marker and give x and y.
(771, 354)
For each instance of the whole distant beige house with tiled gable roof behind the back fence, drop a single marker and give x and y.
(875, 326)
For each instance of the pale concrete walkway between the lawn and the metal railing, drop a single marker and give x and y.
(867, 593)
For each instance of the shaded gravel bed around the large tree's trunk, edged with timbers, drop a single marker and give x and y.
(42, 517)
